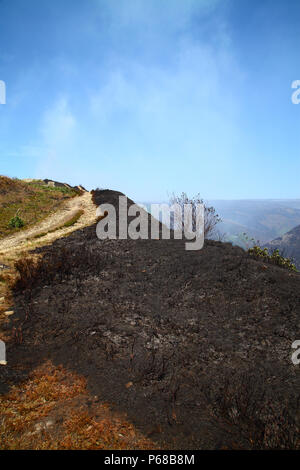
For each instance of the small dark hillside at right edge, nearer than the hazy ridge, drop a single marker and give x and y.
(288, 245)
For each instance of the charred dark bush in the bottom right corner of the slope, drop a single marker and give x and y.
(242, 406)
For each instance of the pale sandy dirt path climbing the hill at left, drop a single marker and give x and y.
(25, 240)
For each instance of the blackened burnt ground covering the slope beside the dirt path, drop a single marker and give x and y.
(158, 330)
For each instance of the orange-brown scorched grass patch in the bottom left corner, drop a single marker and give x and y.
(53, 410)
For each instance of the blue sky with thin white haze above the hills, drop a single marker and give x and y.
(153, 96)
